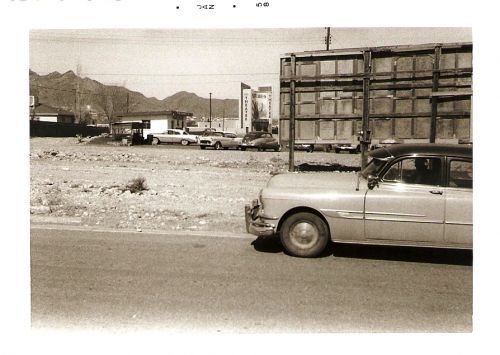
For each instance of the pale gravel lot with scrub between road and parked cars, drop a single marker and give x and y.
(187, 188)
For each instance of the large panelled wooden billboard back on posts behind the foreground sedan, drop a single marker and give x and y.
(362, 96)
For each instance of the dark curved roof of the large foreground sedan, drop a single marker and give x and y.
(456, 150)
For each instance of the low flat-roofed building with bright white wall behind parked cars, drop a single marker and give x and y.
(157, 121)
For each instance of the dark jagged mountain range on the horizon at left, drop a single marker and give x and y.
(60, 91)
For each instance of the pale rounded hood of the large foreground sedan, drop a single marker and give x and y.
(307, 181)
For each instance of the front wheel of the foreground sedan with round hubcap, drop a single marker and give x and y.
(304, 234)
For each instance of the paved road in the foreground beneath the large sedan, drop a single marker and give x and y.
(103, 279)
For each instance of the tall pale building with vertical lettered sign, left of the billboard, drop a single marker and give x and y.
(256, 108)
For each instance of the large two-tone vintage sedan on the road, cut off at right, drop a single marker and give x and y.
(407, 195)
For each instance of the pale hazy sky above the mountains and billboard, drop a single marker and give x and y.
(160, 63)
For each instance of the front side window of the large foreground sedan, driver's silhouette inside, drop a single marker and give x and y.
(415, 170)
